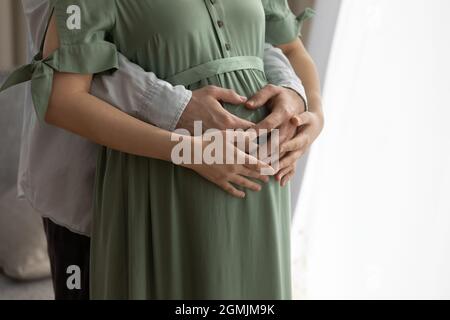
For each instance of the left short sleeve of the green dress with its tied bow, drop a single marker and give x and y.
(100, 54)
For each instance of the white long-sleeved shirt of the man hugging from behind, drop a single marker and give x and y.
(56, 168)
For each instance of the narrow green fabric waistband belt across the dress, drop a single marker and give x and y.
(216, 67)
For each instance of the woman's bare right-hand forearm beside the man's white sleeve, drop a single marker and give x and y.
(306, 69)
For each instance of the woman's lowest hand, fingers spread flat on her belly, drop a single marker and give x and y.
(230, 177)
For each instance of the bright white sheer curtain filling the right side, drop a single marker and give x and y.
(374, 209)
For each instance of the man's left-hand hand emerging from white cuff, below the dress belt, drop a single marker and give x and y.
(205, 105)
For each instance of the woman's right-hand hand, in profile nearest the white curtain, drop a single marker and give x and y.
(310, 125)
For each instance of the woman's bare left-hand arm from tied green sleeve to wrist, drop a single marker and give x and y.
(72, 108)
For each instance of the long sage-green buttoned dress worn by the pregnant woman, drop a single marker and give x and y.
(162, 231)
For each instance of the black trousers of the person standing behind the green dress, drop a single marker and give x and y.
(69, 259)
